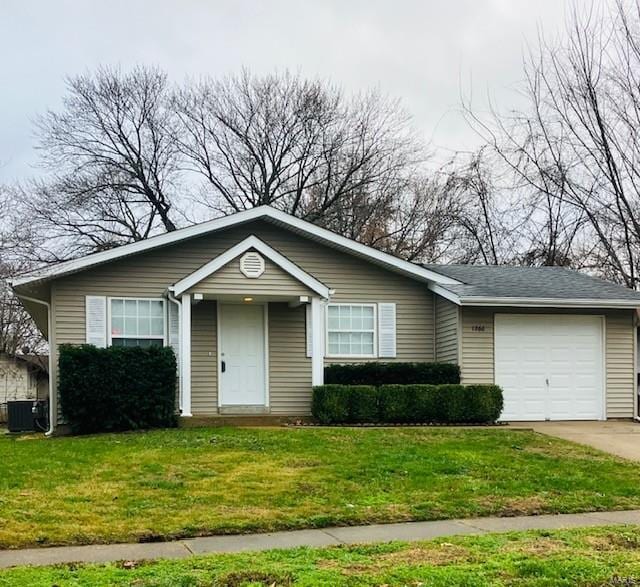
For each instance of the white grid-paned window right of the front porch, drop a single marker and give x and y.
(351, 330)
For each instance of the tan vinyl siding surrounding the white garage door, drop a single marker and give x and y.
(478, 357)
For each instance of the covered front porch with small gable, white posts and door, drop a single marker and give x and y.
(248, 330)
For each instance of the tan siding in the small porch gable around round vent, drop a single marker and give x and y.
(229, 280)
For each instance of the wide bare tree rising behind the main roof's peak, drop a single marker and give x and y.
(295, 144)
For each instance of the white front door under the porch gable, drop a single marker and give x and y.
(242, 355)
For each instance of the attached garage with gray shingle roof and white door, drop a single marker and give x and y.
(560, 343)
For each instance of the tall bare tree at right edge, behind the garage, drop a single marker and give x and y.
(574, 152)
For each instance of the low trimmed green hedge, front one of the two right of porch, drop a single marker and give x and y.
(403, 404)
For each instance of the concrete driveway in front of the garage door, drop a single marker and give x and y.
(621, 438)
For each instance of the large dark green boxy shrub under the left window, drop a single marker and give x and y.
(117, 388)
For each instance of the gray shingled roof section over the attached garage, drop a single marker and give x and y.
(503, 285)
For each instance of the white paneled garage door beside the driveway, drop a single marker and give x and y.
(550, 366)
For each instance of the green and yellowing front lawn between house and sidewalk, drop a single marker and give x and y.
(187, 482)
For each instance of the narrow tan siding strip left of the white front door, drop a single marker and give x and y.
(204, 359)
